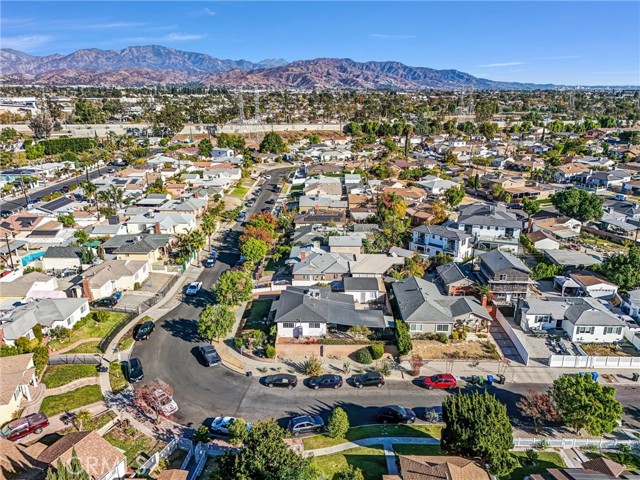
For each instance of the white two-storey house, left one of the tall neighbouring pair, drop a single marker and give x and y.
(430, 240)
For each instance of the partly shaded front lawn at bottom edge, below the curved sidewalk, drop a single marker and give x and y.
(369, 459)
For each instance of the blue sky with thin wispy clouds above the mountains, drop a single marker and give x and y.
(565, 42)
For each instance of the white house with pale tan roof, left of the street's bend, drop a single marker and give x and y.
(108, 277)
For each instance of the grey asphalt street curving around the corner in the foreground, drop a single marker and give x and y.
(209, 392)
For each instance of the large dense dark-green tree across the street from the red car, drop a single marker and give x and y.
(477, 425)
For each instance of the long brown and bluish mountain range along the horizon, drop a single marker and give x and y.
(157, 65)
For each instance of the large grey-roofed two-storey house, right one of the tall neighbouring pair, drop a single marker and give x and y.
(492, 226)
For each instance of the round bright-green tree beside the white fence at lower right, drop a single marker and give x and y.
(585, 404)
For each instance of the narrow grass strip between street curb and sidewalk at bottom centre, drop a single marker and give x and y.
(358, 433)
